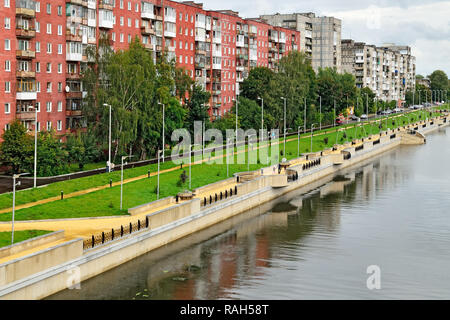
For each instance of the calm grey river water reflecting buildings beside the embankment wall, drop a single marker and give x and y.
(392, 211)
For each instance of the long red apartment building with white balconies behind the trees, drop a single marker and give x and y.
(43, 44)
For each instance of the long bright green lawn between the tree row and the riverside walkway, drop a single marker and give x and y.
(106, 202)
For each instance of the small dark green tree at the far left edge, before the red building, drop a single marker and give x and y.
(17, 148)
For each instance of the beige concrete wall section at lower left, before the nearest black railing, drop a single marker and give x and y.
(22, 267)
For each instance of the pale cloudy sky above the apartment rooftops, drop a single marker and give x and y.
(422, 24)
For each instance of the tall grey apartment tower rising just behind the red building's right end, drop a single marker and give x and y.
(321, 36)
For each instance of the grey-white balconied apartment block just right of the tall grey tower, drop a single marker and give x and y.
(388, 70)
